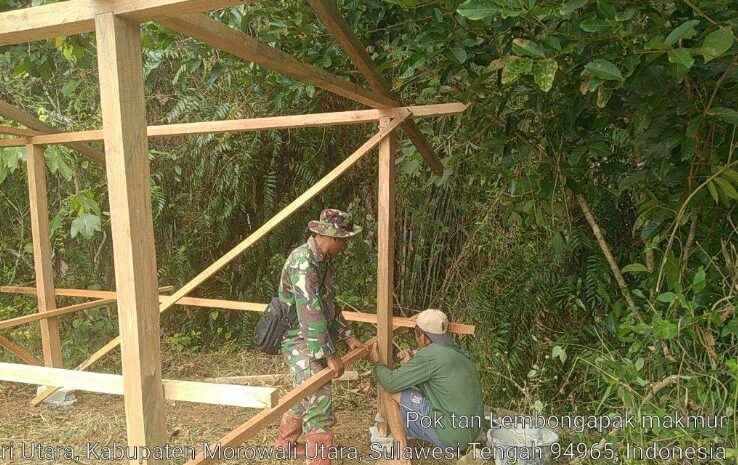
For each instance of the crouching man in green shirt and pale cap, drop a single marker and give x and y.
(436, 391)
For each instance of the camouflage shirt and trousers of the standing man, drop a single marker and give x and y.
(320, 327)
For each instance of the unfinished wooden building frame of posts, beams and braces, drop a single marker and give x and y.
(139, 302)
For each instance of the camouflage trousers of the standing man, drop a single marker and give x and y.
(316, 409)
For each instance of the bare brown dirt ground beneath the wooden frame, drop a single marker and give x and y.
(99, 418)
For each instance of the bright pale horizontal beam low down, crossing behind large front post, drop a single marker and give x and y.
(174, 390)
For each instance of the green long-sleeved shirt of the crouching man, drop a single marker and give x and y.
(448, 379)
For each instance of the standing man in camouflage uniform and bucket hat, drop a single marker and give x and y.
(307, 287)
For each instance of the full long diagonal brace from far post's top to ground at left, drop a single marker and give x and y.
(246, 243)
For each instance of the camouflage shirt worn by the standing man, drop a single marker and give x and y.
(300, 288)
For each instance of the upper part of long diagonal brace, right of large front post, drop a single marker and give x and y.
(284, 213)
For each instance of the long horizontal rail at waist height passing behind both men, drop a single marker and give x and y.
(359, 317)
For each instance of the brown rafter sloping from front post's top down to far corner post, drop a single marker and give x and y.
(219, 36)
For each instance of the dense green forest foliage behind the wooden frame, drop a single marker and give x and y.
(585, 221)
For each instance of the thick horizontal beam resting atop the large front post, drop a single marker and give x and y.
(78, 16)
